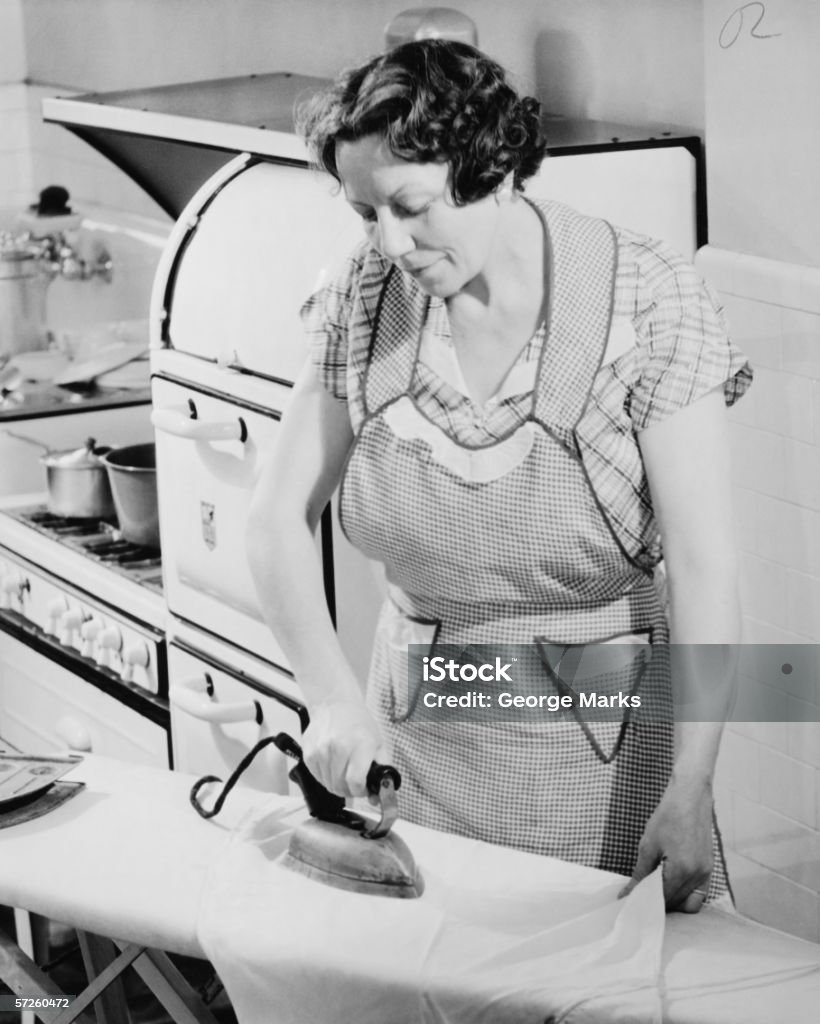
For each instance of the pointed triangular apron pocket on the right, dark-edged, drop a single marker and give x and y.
(603, 678)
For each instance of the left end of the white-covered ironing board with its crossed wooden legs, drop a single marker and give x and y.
(123, 863)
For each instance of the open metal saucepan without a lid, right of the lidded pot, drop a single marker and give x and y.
(133, 475)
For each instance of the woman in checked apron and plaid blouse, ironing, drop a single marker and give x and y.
(521, 404)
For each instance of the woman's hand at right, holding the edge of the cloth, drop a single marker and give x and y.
(678, 836)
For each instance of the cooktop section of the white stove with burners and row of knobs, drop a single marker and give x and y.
(79, 607)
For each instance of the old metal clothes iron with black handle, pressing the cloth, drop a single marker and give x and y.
(341, 848)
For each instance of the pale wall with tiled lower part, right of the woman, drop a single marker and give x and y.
(762, 106)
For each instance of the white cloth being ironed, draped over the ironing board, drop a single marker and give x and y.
(498, 936)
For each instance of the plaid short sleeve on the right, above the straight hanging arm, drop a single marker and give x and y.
(684, 349)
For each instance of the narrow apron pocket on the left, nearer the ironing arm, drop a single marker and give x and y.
(407, 641)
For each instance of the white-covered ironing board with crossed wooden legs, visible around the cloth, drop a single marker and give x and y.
(130, 861)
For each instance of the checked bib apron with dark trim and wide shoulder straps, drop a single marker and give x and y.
(519, 556)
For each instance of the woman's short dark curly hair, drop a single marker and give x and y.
(433, 101)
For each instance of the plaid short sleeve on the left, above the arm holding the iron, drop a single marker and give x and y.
(328, 318)
